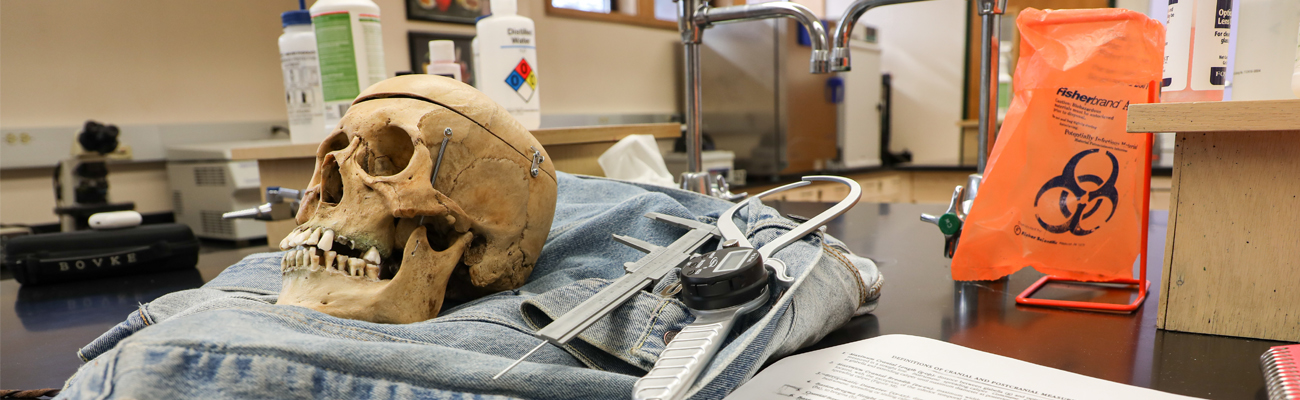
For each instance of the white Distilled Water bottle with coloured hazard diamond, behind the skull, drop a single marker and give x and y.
(508, 63)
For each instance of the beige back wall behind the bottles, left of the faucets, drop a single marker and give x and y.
(162, 63)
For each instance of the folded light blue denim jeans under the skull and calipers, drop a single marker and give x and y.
(229, 340)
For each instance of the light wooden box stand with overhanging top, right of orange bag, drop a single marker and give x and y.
(1233, 250)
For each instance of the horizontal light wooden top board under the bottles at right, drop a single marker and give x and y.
(1215, 116)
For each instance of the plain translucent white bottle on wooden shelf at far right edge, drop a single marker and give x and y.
(1266, 38)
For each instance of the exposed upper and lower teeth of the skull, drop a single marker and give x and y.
(318, 254)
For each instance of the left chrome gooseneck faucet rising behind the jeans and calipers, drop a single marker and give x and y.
(694, 18)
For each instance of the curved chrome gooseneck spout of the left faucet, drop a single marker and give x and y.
(820, 64)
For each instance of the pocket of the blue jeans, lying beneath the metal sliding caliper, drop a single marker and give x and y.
(627, 341)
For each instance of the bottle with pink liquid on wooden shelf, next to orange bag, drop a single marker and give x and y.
(1197, 51)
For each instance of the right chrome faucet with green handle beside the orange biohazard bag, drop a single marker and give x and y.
(991, 21)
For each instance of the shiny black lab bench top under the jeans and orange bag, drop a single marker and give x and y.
(44, 327)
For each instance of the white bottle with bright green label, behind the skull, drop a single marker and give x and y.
(350, 47)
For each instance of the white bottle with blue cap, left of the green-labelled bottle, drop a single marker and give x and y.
(302, 79)
